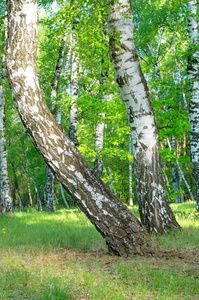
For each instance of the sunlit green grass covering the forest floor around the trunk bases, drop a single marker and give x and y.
(62, 256)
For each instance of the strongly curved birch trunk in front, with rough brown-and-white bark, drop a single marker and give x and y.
(123, 232)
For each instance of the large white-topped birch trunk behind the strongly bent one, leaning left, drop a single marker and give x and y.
(154, 207)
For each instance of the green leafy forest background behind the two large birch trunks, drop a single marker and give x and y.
(163, 46)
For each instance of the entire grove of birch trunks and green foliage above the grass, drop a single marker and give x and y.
(107, 79)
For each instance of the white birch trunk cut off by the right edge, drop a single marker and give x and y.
(193, 72)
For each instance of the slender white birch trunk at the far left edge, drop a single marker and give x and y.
(6, 199)
